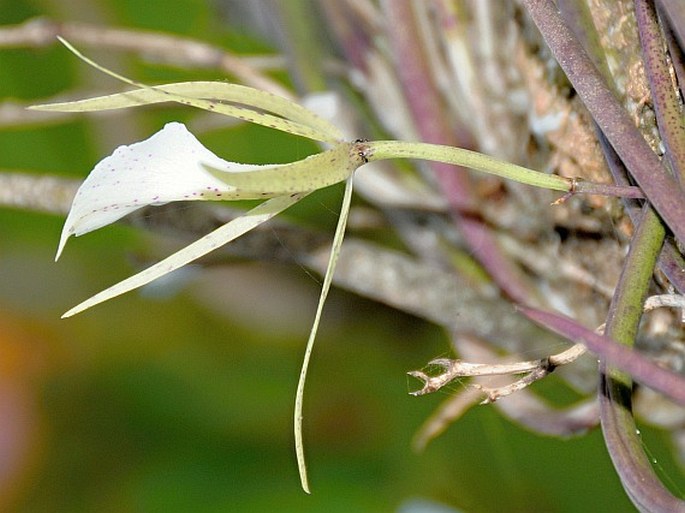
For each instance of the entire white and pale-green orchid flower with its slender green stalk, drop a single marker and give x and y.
(172, 165)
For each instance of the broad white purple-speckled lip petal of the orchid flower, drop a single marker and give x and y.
(166, 167)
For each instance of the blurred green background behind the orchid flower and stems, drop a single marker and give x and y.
(184, 402)
